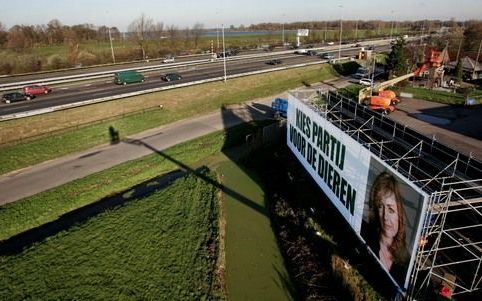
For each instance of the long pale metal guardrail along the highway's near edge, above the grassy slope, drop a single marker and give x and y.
(137, 93)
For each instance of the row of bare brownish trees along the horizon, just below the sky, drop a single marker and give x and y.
(144, 28)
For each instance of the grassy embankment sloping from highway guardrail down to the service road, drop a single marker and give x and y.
(79, 129)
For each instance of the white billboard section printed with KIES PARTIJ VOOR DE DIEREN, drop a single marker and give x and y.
(337, 163)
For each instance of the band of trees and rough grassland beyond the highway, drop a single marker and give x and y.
(86, 44)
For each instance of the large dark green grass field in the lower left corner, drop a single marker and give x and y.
(161, 247)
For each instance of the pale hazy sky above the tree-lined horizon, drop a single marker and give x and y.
(211, 13)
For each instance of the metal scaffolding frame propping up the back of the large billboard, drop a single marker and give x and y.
(450, 250)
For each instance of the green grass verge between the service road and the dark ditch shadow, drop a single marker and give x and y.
(49, 205)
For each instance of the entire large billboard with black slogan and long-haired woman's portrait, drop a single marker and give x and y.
(384, 209)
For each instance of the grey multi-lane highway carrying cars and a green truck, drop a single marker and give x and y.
(82, 91)
